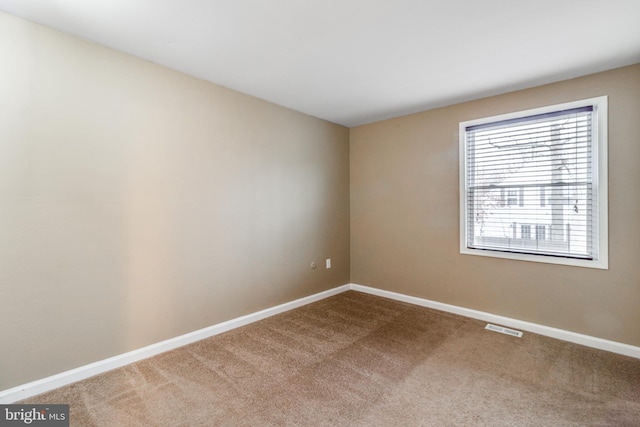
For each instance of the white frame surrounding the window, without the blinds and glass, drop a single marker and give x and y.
(600, 184)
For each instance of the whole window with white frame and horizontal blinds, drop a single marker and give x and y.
(544, 170)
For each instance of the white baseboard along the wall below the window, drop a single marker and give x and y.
(561, 334)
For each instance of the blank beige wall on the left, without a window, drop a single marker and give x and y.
(138, 204)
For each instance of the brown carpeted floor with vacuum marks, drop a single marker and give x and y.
(360, 360)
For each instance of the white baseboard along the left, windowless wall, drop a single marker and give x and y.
(64, 378)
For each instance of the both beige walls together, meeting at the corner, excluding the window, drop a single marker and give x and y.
(138, 204)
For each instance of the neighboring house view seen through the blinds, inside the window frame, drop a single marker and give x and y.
(532, 185)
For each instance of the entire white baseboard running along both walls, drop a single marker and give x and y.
(64, 378)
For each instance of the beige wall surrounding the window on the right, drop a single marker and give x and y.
(405, 220)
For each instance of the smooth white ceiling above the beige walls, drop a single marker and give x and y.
(357, 61)
